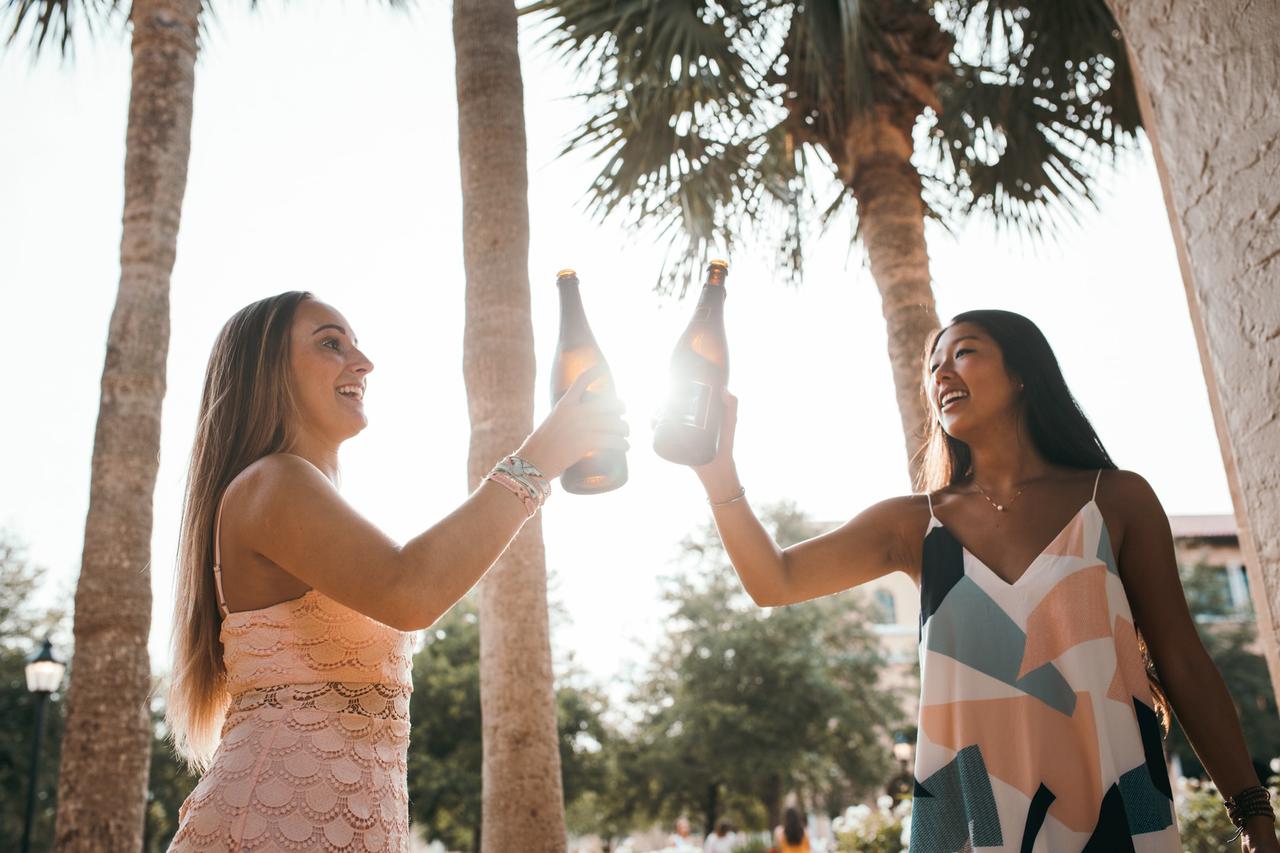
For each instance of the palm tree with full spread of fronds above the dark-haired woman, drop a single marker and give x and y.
(730, 121)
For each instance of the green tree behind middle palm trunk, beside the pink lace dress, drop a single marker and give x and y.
(446, 750)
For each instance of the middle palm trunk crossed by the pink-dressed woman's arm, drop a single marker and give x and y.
(523, 801)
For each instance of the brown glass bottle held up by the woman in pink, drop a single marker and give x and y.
(577, 353)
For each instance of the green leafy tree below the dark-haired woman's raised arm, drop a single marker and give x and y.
(742, 705)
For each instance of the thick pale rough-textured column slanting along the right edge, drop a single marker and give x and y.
(1209, 72)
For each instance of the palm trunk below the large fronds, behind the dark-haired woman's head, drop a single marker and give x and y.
(892, 222)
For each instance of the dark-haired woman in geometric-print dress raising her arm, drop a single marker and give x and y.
(1049, 594)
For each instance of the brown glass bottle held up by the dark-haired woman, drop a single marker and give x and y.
(688, 430)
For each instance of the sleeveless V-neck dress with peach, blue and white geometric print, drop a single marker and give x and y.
(1037, 731)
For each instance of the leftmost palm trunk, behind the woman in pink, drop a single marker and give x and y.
(103, 781)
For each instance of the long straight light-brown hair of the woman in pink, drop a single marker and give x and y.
(246, 413)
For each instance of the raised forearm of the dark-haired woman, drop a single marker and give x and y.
(756, 556)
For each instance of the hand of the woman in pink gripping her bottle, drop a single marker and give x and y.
(577, 427)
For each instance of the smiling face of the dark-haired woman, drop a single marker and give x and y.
(970, 385)
